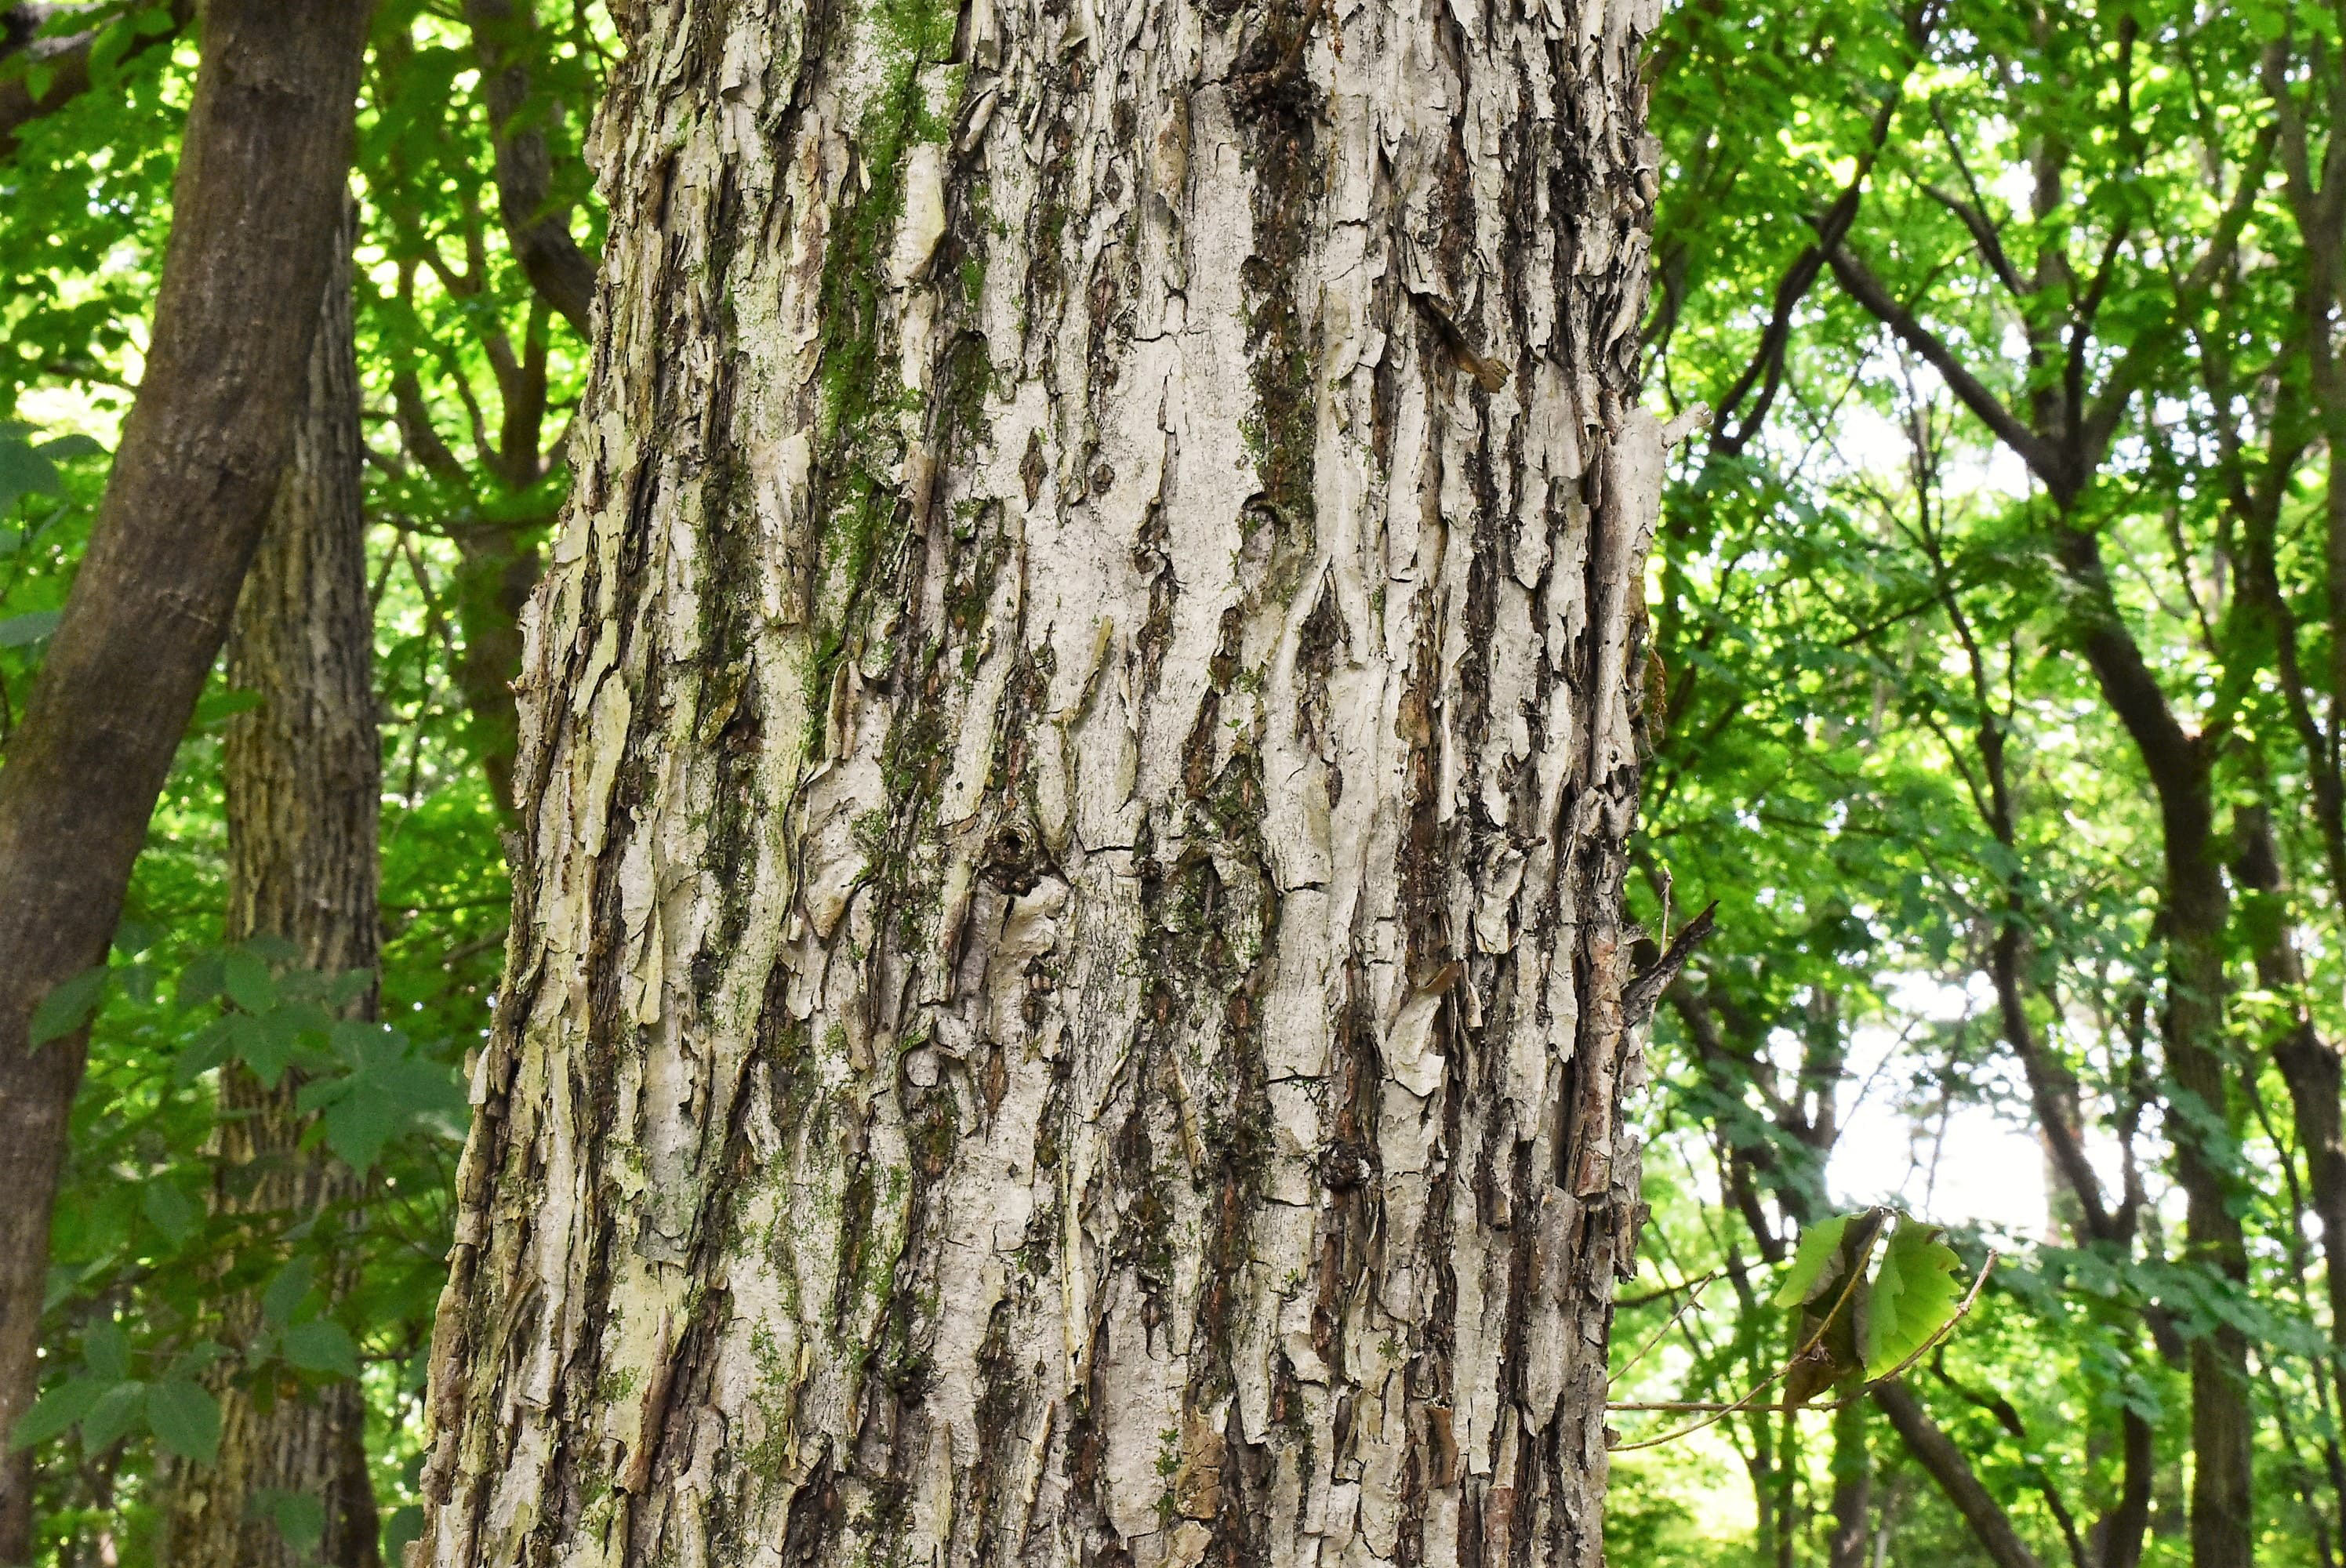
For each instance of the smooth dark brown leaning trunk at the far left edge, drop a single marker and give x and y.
(255, 208)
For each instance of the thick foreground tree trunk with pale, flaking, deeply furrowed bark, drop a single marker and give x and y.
(1066, 996)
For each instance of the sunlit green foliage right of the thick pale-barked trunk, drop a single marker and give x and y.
(1939, 856)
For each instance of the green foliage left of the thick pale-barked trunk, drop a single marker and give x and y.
(468, 381)
